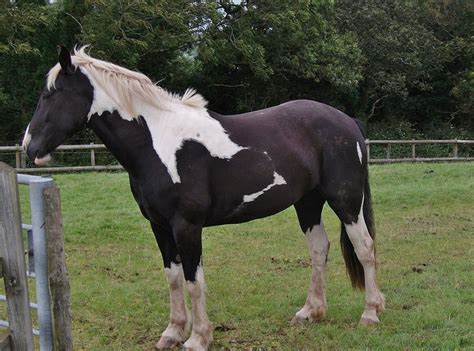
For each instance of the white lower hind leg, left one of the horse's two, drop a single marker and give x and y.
(315, 305)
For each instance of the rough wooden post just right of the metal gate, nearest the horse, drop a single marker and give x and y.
(58, 276)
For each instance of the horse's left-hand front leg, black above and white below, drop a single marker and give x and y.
(175, 333)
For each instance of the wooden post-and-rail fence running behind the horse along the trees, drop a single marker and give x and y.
(388, 145)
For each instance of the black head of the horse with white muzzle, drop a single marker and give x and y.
(61, 111)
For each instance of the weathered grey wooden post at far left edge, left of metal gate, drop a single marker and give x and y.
(13, 256)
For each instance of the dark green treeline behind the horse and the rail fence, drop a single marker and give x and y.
(405, 67)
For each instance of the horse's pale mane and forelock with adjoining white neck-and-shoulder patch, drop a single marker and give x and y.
(171, 120)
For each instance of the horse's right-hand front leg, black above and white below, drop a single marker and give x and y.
(188, 241)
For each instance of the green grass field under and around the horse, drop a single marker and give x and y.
(258, 273)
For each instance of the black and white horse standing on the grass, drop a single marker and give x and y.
(191, 168)
